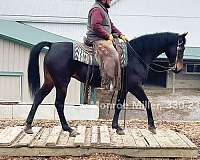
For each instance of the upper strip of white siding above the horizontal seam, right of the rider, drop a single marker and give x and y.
(157, 8)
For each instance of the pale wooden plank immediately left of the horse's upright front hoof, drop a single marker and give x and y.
(104, 135)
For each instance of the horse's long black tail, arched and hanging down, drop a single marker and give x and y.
(33, 67)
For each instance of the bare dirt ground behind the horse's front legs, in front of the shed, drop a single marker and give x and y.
(183, 105)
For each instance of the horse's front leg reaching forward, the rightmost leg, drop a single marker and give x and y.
(141, 96)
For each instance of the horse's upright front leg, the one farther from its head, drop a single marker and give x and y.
(118, 107)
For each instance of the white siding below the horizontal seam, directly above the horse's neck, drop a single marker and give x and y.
(144, 25)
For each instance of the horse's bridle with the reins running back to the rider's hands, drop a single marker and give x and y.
(172, 66)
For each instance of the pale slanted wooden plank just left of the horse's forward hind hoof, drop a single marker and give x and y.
(53, 137)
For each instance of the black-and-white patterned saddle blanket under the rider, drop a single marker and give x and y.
(86, 54)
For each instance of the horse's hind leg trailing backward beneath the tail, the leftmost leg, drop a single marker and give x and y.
(40, 95)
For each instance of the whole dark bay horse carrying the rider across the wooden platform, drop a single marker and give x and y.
(59, 68)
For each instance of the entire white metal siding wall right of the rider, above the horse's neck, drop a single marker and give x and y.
(143, 17)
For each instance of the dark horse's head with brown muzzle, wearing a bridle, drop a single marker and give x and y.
(175, 53)
